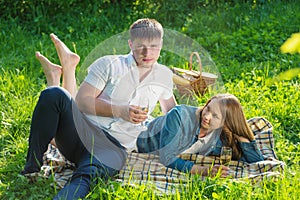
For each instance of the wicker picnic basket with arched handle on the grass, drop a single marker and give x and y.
(190, 82)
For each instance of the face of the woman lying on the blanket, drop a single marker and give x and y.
(212, 117)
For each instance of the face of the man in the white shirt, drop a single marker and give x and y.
(145, 52)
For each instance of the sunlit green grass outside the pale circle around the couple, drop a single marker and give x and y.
(242, 38)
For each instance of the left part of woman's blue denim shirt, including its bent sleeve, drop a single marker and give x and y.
(169, 135)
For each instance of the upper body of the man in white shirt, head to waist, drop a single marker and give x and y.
(113, 82)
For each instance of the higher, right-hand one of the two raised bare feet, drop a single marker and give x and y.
(68, 59)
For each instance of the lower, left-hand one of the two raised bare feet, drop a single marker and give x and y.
(52, 71)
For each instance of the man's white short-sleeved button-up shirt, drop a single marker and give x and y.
(117, 76)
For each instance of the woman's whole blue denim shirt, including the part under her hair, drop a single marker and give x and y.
(171, 134)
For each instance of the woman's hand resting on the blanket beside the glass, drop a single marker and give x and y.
(210, 171)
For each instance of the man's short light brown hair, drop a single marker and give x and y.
(146, 29)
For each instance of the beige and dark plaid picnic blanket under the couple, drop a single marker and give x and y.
(143, 168)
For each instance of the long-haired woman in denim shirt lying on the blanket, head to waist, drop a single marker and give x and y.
(188, 129)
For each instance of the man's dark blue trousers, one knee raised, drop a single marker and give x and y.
(56, 116)
